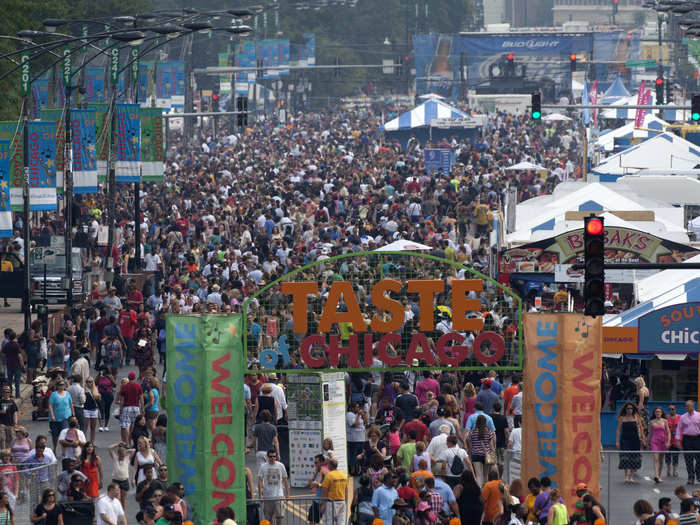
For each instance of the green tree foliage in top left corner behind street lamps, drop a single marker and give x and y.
(28, 14)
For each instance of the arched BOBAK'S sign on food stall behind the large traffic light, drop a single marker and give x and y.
(622, 245)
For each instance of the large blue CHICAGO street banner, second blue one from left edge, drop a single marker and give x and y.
(42, 166)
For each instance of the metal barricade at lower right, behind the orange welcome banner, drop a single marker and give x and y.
(618, 496)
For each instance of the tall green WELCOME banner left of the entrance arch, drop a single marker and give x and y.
(206, 444)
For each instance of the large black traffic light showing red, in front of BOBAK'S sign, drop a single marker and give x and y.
(594, 266)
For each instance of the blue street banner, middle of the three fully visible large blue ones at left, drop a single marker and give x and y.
(84, 140)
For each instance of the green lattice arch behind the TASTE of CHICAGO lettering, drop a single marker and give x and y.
(268, 328)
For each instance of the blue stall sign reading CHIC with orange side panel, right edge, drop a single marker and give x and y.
(674, 329)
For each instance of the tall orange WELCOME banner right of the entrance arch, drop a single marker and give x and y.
(561, 395)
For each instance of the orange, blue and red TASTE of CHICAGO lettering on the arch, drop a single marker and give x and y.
(381, 337)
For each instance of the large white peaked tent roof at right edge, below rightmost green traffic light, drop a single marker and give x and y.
(664, 151)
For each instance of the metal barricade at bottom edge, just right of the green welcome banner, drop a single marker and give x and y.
(297, 511)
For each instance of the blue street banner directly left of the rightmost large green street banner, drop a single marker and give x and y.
(128, 142)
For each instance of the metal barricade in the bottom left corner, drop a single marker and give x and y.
(25, 484)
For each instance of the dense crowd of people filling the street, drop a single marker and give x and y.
(237, 211)
